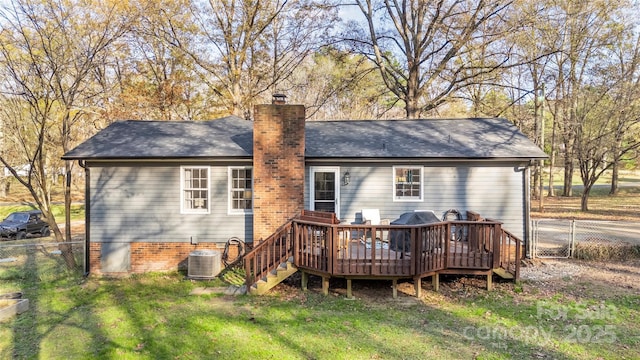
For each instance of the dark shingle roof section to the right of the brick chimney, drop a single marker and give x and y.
(433, 138)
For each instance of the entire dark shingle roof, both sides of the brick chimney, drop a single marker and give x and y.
(232, 137)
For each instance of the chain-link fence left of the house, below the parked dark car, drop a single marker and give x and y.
(44, 259)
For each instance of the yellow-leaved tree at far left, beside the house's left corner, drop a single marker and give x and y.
(47, 53)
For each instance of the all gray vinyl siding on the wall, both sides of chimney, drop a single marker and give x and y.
(131, 202)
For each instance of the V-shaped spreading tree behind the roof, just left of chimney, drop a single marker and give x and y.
(246, 48)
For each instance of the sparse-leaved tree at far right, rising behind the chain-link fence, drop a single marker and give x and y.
(600, 98)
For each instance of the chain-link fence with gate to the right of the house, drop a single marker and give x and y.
(585, 239)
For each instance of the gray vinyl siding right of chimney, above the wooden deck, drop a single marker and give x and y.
(494, 191)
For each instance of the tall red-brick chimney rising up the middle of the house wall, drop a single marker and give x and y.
(278, 165)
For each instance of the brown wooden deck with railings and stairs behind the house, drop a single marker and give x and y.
(317, 244)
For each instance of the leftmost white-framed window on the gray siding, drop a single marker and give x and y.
(194, 182)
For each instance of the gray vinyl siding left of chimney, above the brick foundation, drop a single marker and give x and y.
(141, 203)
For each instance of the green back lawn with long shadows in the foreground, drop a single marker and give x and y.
(153, 316)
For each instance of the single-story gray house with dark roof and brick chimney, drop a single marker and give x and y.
(158, 190)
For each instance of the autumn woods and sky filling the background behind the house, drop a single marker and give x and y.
(565, 71)
